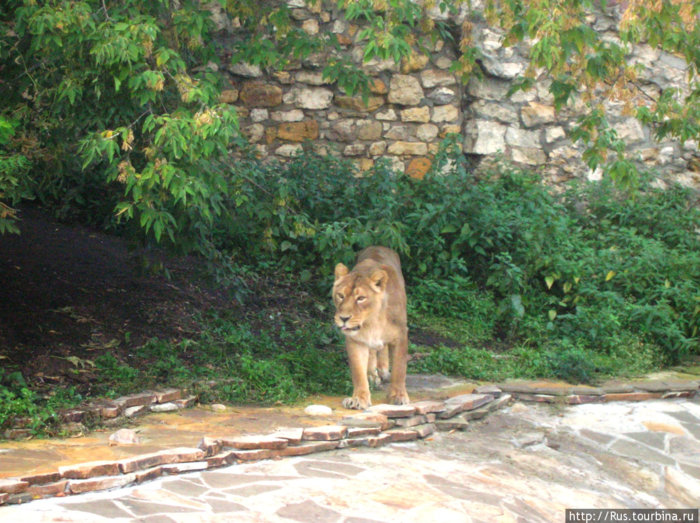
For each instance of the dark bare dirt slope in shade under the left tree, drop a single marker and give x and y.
(68, 291)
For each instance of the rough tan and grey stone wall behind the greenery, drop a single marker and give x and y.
(415, 104)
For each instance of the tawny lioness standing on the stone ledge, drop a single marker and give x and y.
(370, 304)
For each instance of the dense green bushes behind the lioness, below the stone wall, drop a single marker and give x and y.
(590, 269)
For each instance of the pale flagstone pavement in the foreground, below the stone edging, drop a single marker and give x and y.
(524, 463)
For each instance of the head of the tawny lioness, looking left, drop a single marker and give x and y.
(357, 297)
